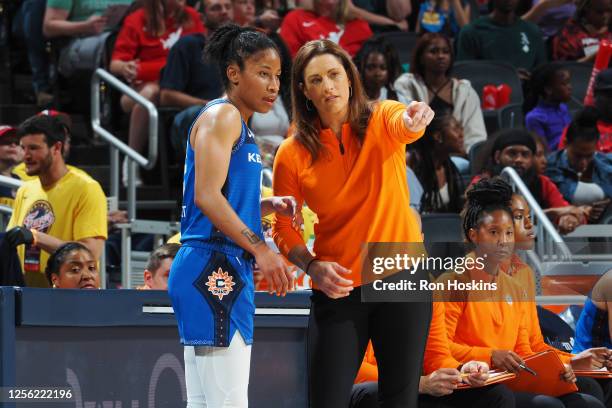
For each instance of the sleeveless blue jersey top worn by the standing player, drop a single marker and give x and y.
(241, 189)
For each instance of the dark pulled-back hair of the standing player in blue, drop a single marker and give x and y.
(232, 44)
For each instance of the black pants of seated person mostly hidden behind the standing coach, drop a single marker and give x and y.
(365, 395)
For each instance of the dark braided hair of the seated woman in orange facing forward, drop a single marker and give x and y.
(485, 196)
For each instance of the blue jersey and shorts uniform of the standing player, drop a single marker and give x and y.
(211, 280)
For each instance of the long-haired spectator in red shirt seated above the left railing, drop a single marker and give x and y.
(141, 50)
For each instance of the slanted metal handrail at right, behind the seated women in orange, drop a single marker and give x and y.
(549, 245)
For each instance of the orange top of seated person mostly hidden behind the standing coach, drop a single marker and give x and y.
(437, 351)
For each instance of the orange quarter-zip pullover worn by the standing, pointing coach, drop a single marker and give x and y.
(360, 196)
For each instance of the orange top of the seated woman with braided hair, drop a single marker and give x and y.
(477, 327)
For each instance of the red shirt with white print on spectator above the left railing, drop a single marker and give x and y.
(151, 51)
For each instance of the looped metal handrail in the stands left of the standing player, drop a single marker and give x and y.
(117, 145)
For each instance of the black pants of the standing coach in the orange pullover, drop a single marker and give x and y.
(338, 333)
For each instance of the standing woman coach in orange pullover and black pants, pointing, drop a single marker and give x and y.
(346, 160)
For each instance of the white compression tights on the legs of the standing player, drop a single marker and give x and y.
(218, 377)
